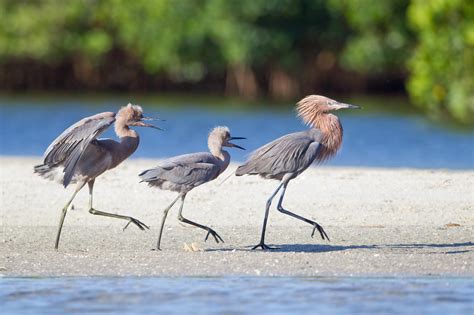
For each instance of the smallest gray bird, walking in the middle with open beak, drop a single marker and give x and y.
(184, 172)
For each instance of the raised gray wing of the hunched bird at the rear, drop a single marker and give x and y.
(68, 148)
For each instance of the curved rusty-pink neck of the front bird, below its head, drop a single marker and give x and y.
(331, 130)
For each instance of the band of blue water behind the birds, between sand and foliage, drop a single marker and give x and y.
(371, 138)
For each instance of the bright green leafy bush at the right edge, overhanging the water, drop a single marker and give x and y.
(442, 66)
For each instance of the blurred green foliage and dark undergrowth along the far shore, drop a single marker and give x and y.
(282, 47)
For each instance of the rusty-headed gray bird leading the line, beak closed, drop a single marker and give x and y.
(285, 158)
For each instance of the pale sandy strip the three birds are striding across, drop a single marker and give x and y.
(382, 222)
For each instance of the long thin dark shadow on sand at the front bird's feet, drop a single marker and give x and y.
(450, 248)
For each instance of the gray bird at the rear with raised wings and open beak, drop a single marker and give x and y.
(82, 157)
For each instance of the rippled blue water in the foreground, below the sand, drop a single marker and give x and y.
(237, 295)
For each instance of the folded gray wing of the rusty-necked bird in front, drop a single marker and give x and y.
(289, 154)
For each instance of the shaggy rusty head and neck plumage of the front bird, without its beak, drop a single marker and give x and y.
(313, 111)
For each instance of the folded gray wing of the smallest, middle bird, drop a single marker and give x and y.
(188, 174)
